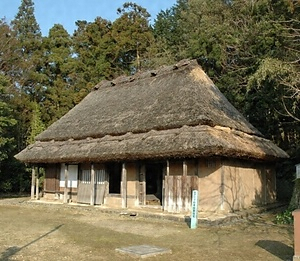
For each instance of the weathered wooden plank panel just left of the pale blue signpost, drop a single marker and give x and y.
(178, 192)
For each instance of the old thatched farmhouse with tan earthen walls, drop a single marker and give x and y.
(153, 122)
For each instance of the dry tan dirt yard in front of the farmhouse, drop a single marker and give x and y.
(38, 231)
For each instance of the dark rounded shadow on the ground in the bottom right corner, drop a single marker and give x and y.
(277, 249)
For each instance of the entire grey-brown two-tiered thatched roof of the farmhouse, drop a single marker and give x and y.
(176, 111)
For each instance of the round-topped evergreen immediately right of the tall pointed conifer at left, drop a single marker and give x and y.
(60, 73)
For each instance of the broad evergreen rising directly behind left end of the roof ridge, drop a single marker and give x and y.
(94, 54)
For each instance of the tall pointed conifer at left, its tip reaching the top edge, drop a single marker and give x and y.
(27, 74)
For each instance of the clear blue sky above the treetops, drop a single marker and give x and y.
(67, 12)
